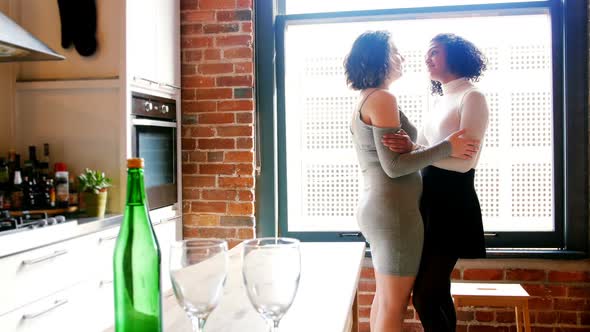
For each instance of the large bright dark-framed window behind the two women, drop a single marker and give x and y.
(521, 178)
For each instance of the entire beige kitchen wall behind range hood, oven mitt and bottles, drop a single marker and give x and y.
(80, 119)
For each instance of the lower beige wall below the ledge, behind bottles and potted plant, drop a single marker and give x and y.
(81, 122)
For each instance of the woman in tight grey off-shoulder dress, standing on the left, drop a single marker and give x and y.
(388, 213)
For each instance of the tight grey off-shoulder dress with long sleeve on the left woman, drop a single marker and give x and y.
(388, 213)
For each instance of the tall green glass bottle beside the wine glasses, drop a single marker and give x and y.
(136, 262)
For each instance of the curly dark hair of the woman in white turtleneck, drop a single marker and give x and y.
(463, 59)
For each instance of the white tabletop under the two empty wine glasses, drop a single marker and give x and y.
(324, 302)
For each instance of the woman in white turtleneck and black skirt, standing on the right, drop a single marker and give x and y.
(449, 205)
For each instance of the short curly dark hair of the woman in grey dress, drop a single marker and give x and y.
(368, 65)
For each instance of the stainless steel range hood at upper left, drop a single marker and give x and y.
(16, 44)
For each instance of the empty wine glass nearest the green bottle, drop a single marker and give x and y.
(198, 270)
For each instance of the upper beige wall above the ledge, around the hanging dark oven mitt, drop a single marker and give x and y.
(41, 18)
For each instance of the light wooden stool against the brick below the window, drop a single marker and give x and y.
(494, 295)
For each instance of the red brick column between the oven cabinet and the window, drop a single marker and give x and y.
(217, 119)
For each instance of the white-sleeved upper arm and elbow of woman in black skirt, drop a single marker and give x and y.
(474, 118)
